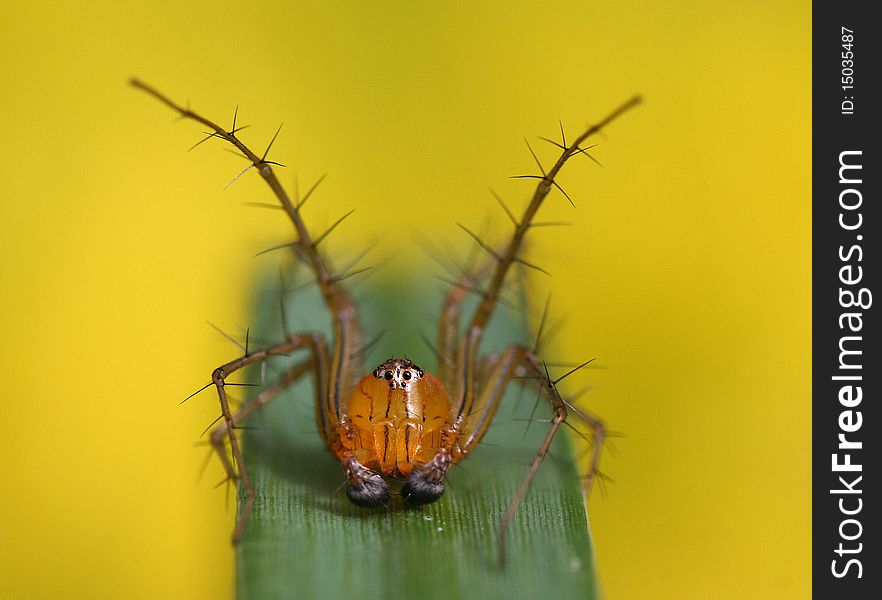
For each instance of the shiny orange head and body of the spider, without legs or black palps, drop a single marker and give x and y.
(397, 412)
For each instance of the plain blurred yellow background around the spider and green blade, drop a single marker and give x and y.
(686, 271)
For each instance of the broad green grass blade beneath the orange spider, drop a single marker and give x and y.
(306, 540)
